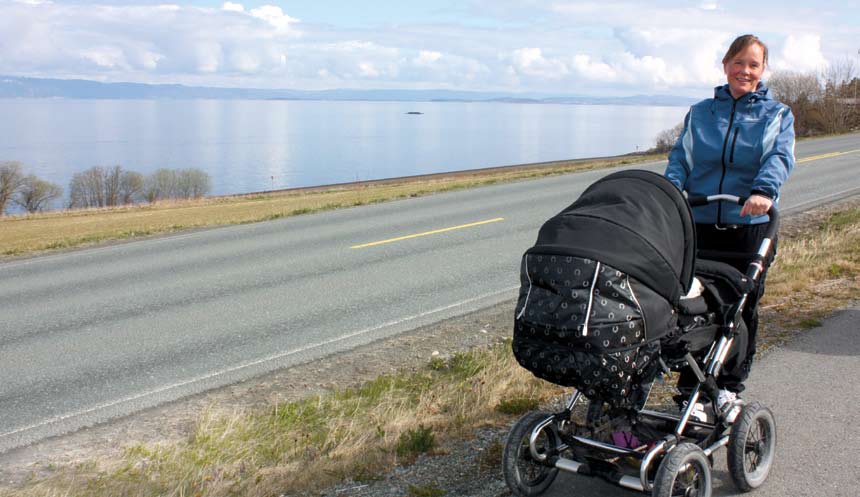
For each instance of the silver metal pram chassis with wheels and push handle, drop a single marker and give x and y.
(715, 433)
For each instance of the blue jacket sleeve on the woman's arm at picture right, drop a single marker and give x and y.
(777, 158)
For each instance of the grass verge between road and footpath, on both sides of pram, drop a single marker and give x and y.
(358, 433)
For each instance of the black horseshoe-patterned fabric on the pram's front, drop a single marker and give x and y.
(579, 324)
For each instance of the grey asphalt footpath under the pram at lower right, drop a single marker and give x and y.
(811, 386)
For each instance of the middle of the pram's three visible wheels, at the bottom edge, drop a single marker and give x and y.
(685, 471)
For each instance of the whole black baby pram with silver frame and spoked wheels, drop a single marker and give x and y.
(605, 307)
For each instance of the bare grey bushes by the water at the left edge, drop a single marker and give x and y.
(99, 187)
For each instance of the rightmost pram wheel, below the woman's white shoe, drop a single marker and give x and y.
(752, 443)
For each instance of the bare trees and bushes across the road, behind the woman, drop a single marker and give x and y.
(824, 102)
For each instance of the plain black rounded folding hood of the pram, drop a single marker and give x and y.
(636, 221)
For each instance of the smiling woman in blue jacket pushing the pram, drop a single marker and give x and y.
(741, 142)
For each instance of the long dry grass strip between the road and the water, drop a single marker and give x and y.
(66, 229)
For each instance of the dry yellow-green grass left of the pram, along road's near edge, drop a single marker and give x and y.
(305, 445)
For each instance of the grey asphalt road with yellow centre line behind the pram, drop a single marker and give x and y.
(89, 335)
